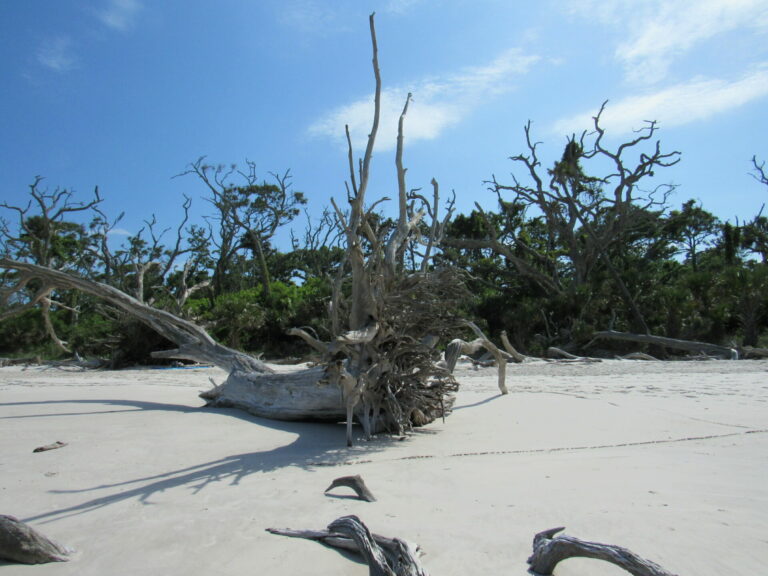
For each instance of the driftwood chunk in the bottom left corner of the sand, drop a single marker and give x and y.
(23, 544)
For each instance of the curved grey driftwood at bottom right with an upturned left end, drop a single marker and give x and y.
(549, 550)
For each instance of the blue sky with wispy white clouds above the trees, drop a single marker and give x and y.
(123, 94)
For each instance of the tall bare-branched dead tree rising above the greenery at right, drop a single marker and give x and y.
(584, 219)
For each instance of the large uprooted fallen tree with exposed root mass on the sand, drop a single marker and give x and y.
(385, 317)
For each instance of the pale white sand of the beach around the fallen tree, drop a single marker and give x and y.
(667, 459)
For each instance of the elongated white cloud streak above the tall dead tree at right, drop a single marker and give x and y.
(677, 105)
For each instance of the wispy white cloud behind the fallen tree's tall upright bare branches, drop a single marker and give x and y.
(438, 103)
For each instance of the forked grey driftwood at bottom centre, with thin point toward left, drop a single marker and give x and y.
(385, 556)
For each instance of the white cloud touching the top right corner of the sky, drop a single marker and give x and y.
(658, 32)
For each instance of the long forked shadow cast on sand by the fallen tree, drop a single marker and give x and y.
(315, 445)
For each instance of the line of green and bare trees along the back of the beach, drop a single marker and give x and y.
(587, 244)
